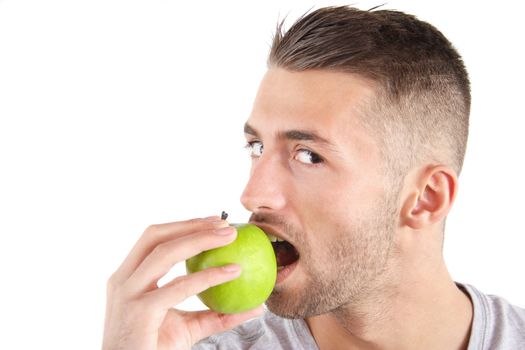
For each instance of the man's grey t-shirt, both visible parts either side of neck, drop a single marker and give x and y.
(496, 325)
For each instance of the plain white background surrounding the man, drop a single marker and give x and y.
(118, 114)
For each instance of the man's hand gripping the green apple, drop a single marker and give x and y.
(140, 315)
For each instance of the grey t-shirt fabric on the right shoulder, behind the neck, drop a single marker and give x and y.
(497, 323)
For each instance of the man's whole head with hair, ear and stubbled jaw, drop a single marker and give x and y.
(357, 133)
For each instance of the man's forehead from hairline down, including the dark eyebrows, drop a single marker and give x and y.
(321, 107)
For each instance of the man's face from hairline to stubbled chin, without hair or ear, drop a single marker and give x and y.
(317, 181)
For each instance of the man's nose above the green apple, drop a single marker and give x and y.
(266, 186)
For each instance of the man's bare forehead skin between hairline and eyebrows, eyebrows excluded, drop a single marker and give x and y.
(314, 98)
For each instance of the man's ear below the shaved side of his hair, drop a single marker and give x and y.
(431, 197)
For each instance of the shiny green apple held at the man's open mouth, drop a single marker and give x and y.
(253, 251)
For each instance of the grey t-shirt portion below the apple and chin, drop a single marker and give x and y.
(265, 332)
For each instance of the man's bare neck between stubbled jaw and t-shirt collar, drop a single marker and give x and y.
(428, 312)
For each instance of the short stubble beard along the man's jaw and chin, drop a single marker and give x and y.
(347, 271)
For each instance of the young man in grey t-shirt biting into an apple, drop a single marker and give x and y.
(357, 137)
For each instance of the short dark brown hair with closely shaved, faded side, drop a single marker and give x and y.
(422, 103)
